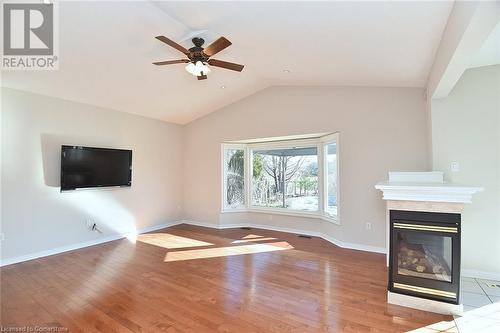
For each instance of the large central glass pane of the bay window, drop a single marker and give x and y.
(285, 178)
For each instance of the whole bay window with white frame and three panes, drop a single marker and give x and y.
(296, 177)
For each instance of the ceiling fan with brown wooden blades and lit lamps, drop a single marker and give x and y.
(199, 57)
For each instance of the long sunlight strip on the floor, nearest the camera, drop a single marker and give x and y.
(226, 251)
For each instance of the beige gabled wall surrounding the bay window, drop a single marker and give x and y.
(381, 129)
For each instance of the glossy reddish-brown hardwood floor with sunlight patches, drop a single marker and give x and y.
(194, 279)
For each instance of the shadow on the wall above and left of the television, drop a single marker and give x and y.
(51, 153)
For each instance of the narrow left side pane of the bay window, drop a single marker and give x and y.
(234, 164)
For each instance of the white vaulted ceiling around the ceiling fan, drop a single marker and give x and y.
(106, 50)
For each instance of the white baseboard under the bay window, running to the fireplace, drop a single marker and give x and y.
(328, 238)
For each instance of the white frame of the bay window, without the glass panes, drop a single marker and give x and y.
(320, 143)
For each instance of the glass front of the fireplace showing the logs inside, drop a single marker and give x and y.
(424, 254)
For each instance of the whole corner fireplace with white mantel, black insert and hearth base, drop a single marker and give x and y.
(423, 239)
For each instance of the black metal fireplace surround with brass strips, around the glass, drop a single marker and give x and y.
(426, 219)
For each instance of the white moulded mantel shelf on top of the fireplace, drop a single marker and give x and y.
(430, 192)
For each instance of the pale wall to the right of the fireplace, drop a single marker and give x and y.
(466, 128)
